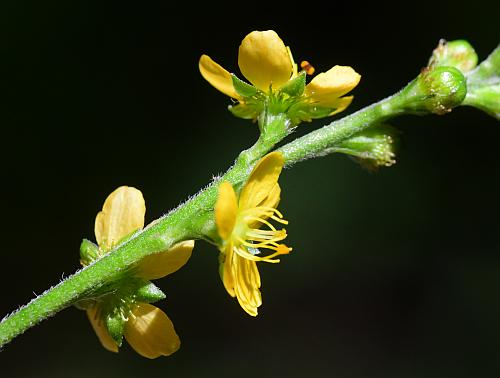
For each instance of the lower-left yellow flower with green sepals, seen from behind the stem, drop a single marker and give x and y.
(126, 311)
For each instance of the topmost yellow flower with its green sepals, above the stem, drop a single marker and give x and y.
(268, 65)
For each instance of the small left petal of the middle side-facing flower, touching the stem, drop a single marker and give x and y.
(226, 209)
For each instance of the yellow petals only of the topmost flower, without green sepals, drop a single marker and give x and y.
(268, 64)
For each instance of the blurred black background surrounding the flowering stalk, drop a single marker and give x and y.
(393, 274)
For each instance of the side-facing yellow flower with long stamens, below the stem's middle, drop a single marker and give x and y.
(238, 223)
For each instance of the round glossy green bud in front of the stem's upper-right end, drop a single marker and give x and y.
(436, 90)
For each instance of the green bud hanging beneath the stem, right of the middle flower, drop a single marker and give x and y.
(373, 148)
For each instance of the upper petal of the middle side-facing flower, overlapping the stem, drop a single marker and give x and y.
(262, 180)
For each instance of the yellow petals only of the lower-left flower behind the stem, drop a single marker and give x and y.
(147, 328)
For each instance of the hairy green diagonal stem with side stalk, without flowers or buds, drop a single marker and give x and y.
(194, 218)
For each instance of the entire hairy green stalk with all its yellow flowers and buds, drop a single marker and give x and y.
(238, 212)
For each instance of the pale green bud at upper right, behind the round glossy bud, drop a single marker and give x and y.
(459, 54)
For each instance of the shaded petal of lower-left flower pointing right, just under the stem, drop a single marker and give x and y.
(163, 263)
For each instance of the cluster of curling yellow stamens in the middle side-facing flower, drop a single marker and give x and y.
(249, 239)
